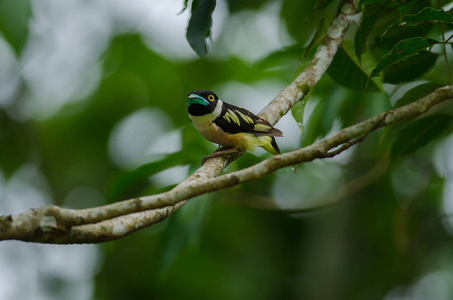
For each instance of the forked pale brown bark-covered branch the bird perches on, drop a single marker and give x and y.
(52, 224)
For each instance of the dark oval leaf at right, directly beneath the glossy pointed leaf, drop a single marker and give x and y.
(411, 68)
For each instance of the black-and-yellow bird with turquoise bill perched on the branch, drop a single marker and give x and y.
(229, 125)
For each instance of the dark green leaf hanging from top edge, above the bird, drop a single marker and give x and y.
(199, 28)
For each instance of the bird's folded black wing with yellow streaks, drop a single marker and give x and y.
(234, 119)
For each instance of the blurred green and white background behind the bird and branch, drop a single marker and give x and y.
(93, 111)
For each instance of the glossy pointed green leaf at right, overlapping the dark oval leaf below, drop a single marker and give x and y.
(402, 51)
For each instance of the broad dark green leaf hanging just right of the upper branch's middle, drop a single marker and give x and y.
(346, 70)
